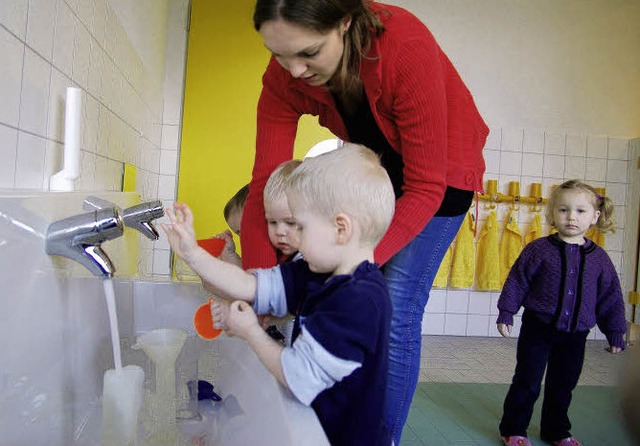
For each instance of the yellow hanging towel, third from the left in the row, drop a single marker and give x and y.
(488, 255)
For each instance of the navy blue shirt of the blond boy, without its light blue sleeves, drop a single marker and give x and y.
(349, 315)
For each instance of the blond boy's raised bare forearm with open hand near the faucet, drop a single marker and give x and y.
(223, 278)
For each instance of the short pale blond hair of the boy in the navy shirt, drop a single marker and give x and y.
(349, 180)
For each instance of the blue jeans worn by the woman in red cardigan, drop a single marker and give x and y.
(410, 274)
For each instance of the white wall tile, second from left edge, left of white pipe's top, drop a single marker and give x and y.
(35, 94)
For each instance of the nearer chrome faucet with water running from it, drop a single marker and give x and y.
(80, 238)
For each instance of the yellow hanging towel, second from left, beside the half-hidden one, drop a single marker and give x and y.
(464, 256)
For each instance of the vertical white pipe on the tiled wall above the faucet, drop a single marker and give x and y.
(64, 180)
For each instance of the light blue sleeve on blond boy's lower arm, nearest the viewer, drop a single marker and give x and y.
(309, 368)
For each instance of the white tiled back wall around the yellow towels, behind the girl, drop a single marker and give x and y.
(547, 157)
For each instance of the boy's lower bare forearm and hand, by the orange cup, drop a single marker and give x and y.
(242, 322)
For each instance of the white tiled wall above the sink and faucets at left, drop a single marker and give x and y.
(130, 115)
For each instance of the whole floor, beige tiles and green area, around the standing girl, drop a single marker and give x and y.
(464, 381)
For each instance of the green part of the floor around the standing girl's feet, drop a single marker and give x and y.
(468, 414)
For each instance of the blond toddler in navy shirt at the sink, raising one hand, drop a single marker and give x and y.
(343, 203)
